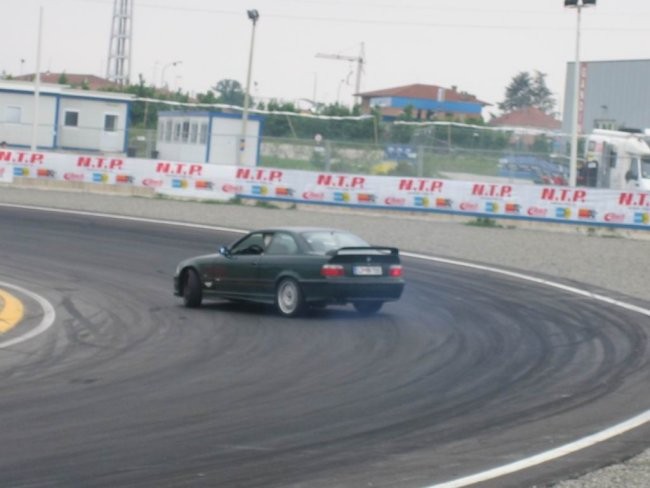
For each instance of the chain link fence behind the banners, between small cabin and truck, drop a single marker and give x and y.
(452, 151)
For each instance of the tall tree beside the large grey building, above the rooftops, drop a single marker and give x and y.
(528, 91)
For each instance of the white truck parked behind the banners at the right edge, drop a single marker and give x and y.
(616, 159)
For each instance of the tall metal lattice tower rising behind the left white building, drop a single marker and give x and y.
(118, 68)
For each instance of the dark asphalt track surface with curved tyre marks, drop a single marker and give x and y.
(469, 371)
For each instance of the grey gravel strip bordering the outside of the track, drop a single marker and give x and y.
(610, 261)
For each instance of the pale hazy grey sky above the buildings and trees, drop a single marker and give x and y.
(476, 45)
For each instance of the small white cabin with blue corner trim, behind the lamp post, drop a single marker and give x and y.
(208, 137)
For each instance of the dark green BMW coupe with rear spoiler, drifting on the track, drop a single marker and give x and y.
(294, 268)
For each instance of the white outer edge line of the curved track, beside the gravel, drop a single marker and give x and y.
(489, 474)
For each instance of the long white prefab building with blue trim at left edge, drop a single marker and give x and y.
(68, 118)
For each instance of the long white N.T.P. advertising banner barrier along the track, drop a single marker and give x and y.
(560, 204)
